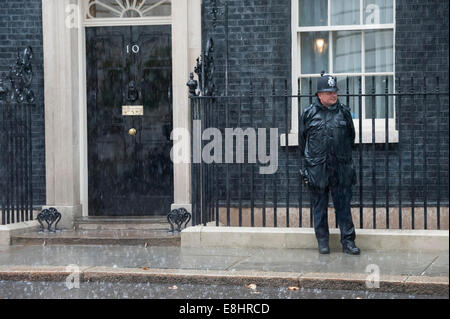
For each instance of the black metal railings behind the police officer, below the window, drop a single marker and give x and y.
(401, 171)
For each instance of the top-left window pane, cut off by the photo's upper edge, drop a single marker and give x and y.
(312, 13)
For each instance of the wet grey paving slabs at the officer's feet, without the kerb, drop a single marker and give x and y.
(228, 259)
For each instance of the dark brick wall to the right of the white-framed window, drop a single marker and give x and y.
(421, 49)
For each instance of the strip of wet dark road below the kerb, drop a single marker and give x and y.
(104, 290)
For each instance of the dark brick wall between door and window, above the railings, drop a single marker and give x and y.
(259, 42)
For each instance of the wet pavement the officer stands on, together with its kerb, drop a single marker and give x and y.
(423, 273)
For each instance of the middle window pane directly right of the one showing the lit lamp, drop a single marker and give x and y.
(347, 51)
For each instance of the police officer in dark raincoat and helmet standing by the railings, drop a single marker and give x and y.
(326, 138)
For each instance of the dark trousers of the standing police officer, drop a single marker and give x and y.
(341, 196)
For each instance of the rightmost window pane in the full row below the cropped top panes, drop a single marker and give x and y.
(379, 50)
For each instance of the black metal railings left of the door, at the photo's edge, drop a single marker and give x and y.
(16, 169)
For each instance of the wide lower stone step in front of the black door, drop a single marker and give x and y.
(99, 237)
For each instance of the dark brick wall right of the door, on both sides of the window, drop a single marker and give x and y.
(260, 52)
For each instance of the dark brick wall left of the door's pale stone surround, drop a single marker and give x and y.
(21, 26)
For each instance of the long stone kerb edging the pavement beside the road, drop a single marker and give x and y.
(417, 285)
